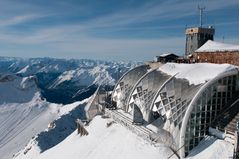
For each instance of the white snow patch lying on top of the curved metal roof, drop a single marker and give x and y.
(196, 73)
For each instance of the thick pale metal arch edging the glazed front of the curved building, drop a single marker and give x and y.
(191, 106)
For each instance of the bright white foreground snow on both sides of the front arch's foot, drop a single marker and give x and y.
(117, 142)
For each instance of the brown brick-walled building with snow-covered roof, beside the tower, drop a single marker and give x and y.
(216, 52)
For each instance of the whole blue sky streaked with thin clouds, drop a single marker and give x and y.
(108, 29)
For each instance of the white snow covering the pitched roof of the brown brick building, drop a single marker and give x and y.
(212, 46)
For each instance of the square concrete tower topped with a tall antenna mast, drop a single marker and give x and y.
(197, 36)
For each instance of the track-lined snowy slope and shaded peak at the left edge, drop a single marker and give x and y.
(23, 112)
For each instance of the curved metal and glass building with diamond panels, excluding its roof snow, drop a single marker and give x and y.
(187, 110)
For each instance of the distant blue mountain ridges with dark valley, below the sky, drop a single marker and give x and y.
(60, 79)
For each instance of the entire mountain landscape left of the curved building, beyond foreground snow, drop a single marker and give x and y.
(37, 92)
